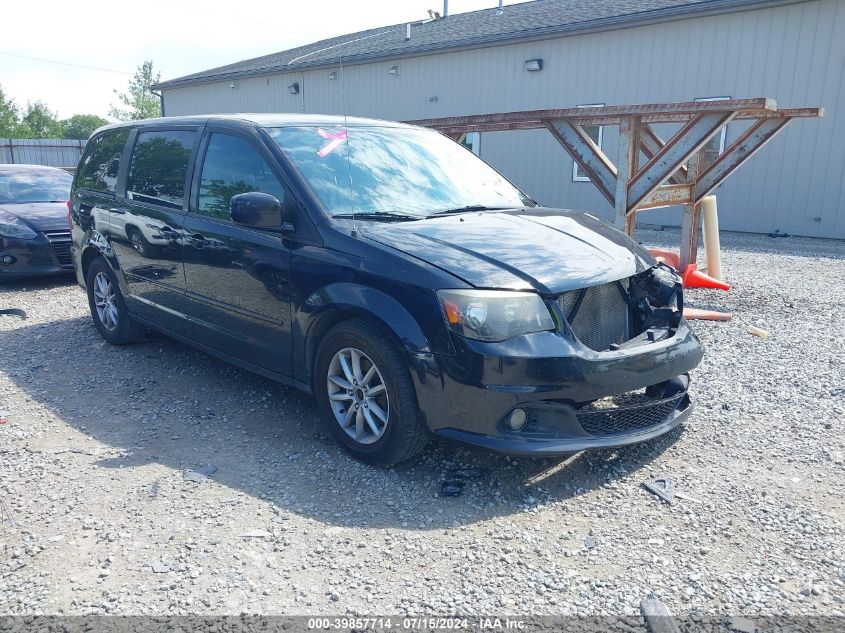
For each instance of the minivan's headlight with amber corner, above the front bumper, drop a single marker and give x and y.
(494, 315)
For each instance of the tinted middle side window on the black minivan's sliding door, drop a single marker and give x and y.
(159, 167)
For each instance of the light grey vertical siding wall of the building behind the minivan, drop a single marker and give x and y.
(793, 53)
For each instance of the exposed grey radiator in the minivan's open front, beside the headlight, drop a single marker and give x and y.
(601, 318)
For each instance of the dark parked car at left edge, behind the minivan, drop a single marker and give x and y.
(34, 232)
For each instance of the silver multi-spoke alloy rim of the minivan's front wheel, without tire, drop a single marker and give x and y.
(358, 395)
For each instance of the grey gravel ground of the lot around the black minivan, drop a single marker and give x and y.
(111, 505)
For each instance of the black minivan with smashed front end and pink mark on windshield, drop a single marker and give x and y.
(390, 272)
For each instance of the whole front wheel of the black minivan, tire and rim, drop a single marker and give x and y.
(366, 395)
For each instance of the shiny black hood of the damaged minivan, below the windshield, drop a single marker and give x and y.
(546, 250)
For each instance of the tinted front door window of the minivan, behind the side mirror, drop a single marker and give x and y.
(233, 166)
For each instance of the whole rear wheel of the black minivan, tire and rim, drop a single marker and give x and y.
(108, 308)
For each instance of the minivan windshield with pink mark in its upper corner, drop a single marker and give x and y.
(393, 171)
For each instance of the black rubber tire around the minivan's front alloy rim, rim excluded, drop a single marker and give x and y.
(405, 434)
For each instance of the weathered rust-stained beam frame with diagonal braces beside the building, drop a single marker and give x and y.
(676, 171)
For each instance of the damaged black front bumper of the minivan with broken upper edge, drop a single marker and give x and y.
(567, 395)
